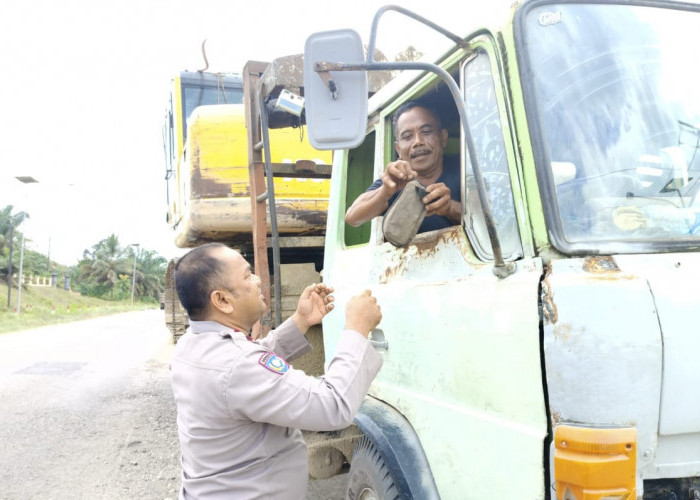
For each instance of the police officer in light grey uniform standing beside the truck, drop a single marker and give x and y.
(240, 404)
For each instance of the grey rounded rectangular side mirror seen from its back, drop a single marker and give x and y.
(335, 120)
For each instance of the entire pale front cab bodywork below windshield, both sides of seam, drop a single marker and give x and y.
(620, 349)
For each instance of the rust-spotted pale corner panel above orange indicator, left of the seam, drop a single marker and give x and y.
(603, 364)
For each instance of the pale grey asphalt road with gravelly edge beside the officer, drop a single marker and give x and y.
(86, 411)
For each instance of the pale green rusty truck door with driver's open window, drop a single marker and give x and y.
(461, 346)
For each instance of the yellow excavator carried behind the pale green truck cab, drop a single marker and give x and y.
(209, 166)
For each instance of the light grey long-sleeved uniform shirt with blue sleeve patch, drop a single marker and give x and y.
(240, 406)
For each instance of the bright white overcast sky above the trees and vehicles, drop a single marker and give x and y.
(84, 86)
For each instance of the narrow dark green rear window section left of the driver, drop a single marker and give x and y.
(360, 176)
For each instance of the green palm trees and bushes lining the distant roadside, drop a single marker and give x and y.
(106, 270)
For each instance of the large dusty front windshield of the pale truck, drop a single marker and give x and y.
(617, 93)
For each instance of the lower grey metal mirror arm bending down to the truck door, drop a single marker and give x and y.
(501, 269)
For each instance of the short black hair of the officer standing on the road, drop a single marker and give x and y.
(196, 276)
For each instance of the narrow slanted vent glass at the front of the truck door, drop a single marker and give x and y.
(487, 133)
